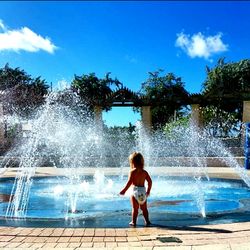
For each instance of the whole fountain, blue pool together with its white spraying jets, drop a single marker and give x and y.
(71, 142)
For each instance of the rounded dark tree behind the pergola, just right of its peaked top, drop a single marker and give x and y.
(166, 95)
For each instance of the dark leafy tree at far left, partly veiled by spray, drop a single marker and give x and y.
(20, 92)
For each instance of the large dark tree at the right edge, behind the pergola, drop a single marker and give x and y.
(225, 88)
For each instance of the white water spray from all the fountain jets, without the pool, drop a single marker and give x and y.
(67, 139)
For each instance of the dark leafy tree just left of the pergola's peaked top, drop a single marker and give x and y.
(95, 91)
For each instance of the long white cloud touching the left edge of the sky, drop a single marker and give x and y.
(24, 39)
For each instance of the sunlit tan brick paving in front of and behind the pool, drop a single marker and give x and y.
(235, 236)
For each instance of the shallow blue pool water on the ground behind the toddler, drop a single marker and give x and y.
(95, 201)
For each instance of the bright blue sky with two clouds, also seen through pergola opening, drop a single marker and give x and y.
(57, 39)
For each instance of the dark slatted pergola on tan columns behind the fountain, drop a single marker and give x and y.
(125, 97)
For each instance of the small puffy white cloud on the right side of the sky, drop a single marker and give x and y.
(200, 46)
